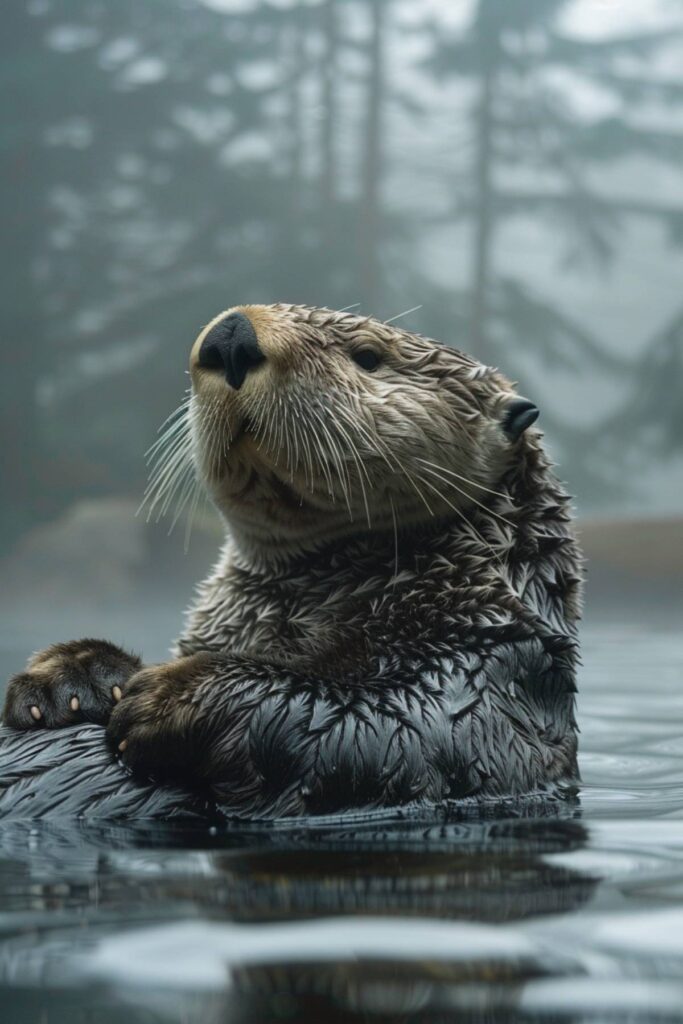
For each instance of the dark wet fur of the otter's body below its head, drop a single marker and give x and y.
(365, 675)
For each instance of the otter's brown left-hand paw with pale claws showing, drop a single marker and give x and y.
(79, 681)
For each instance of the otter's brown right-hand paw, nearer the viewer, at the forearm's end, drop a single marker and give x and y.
(153, 730)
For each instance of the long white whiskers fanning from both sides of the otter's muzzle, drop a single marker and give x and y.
(318, 444)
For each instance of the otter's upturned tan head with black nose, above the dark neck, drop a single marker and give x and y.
(309, 424)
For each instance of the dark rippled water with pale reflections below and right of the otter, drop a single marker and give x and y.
(572, 916)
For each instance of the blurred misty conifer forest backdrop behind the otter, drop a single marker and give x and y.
(515, 169)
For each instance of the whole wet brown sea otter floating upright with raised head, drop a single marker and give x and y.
(393, 620)
